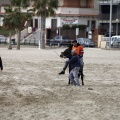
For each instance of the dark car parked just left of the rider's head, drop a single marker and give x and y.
(60, 40)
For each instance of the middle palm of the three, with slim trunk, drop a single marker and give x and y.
(19, 17)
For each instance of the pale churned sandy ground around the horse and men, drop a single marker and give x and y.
(31, 89)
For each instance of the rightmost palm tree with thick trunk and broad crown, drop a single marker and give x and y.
(45, 8)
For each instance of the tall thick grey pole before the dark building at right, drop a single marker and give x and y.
(110, 24)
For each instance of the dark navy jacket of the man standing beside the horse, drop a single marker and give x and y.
(74, 61)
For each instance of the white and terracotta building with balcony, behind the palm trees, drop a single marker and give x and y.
(79, 12)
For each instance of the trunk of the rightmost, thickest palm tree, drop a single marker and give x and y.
(42, 41)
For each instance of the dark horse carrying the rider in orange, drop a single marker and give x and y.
(68, 52)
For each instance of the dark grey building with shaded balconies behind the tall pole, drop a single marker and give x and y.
(104, 17)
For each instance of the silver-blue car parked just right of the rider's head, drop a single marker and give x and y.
(86, 42)
